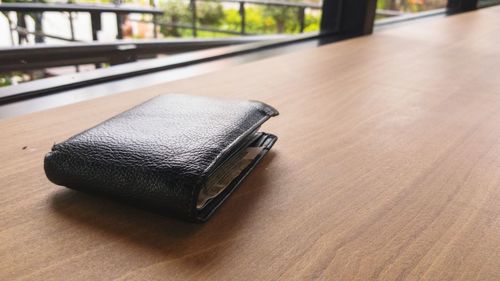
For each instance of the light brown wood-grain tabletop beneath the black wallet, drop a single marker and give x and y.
(387, 167)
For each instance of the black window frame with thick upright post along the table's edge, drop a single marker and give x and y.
(341, 19)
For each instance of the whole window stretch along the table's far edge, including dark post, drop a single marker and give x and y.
(46, 38)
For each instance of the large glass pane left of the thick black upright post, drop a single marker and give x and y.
(177, 19)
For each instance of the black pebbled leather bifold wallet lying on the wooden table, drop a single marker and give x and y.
(177, 154)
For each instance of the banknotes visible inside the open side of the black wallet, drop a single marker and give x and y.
(229, 170)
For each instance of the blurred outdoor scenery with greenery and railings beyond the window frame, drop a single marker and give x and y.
(92, 25)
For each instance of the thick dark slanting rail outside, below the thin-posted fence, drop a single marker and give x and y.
(41, 56)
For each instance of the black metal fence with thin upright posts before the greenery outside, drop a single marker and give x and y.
(120, 11)
